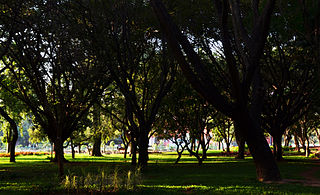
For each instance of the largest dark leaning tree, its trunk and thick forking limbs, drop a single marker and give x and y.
(244, 71)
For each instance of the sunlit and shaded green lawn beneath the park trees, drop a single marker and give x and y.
(218, 175)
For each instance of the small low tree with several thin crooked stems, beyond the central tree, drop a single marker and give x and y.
(185, 120)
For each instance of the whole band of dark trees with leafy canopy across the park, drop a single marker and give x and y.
(183, 70)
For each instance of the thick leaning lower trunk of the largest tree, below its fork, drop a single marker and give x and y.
(266, 167)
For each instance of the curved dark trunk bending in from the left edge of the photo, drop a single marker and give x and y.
(13, 135)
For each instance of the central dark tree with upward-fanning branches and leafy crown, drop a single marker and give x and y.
(137, 60)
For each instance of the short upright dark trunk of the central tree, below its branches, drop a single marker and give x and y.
(143, 148)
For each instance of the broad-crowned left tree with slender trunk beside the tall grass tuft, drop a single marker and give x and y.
(50, 63)
